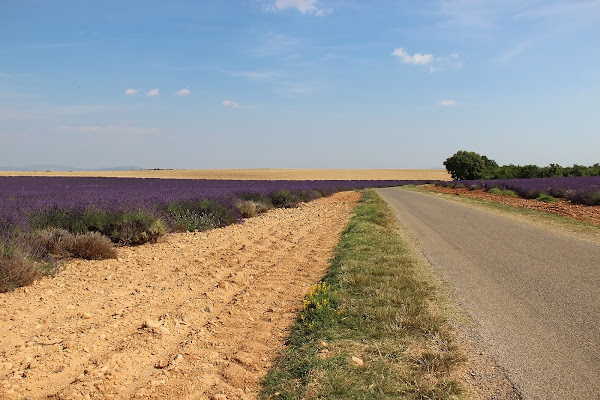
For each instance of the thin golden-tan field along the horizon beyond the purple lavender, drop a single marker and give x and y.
(258, 174)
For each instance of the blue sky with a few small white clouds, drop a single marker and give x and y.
(298, 83)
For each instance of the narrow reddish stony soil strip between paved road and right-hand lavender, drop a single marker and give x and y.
(561, 207)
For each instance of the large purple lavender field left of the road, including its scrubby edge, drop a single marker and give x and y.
(44, 219)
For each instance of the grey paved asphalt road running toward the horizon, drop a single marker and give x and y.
(534, 294)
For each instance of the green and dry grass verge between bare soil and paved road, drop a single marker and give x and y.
(374, 327)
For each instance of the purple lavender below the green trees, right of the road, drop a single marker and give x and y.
(581, 190)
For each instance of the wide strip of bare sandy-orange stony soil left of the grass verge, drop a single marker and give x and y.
(195, 316)
